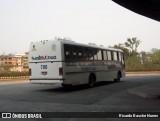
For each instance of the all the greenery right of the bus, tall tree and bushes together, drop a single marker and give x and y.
(135, 61)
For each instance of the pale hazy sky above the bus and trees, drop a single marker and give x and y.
(84, 21)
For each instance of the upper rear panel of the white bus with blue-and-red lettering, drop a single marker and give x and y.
(45, 51)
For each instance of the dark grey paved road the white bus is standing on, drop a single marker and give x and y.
(104, 97)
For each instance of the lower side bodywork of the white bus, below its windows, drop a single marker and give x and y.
(80, 75)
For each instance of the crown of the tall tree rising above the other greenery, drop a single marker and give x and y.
(133, 44)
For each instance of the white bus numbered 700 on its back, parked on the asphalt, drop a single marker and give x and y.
(71, 63)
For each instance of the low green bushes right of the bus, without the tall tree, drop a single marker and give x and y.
(145, 62)
